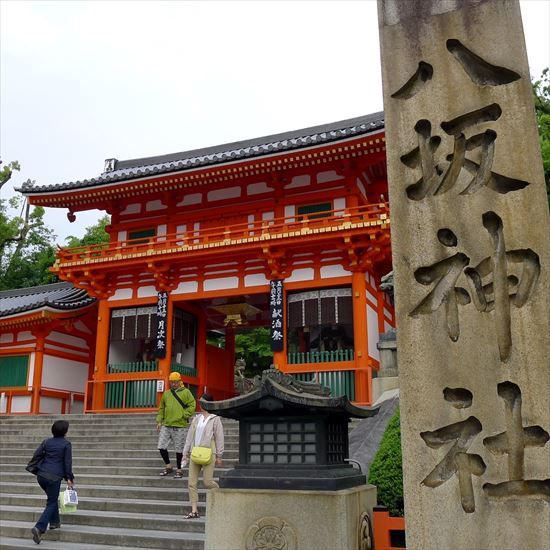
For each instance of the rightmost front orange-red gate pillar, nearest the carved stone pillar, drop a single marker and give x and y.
(363, 374)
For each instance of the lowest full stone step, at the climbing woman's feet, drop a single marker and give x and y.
(119, 536)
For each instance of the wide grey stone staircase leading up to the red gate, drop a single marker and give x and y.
(123, 503)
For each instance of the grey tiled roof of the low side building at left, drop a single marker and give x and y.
(59, 296)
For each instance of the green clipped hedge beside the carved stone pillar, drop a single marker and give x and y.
(386, 471)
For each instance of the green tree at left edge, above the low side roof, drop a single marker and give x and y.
(26, 251)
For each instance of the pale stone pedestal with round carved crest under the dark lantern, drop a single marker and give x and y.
(324, 520)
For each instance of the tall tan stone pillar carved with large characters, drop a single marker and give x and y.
(471, 258)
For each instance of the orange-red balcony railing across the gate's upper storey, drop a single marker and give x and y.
(374, 214)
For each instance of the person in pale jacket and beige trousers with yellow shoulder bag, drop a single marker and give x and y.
(206, 430)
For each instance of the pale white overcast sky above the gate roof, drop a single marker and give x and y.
(84, 81)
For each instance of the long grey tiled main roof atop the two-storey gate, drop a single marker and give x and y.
(121, 170)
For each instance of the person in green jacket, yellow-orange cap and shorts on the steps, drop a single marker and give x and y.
(173, 421)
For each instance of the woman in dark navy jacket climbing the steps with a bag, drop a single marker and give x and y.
(56, 465)
